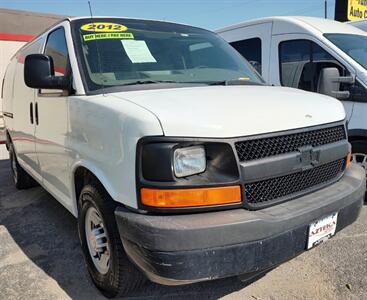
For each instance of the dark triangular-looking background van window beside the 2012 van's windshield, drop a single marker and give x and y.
(251, 50)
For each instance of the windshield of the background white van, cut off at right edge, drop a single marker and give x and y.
(352, 44)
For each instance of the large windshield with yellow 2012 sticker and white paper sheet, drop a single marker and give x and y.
(125, 52)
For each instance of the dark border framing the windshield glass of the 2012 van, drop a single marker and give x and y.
(87, 81)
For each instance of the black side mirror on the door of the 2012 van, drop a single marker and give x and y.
(39, 73)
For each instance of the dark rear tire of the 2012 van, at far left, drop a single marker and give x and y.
(22, 179)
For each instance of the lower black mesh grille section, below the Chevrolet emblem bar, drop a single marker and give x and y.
(275, 189)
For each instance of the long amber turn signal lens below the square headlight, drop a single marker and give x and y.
(173, 198)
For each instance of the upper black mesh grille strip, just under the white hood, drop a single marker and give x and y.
(265, 147)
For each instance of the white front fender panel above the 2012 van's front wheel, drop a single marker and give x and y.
(103, 135)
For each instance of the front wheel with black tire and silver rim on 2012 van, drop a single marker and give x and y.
(107, 263)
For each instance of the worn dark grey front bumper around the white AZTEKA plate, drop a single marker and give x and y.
(182, 249)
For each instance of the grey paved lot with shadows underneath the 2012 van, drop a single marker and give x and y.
(40, 258)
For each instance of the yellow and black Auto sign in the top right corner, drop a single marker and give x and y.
(350, 10)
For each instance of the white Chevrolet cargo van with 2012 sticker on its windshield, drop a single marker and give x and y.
(180, 164)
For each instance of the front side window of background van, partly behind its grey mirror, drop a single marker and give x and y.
(301, 62)
